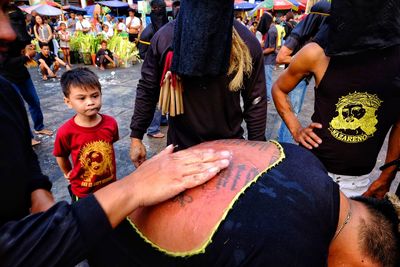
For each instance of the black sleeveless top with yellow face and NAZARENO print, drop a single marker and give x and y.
(357, 102)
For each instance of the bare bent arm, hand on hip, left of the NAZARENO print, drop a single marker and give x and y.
(310, 59)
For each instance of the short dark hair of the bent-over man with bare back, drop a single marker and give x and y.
(379, 233)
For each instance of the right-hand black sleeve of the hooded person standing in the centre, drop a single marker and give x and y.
(254, 98)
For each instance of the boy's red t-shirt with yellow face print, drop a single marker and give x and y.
(92, 154)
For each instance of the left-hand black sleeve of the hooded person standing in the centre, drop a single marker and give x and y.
(148, 91)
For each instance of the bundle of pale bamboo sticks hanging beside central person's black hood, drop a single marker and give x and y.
(170, 101)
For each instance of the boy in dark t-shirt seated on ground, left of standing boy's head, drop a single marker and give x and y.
(49, 63)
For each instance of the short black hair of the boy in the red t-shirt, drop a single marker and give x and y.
(79, 77)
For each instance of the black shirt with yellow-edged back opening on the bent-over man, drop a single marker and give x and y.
(287, 218)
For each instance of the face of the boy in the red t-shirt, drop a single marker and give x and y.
(85, 101)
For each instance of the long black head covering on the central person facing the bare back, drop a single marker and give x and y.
(203, 38)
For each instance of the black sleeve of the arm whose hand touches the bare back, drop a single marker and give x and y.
(60, 236)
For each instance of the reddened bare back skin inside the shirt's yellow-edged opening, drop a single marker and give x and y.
(186, 222)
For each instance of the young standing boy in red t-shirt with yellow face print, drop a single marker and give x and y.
(88, 136)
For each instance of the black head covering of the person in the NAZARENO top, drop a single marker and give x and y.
(359, 25)
